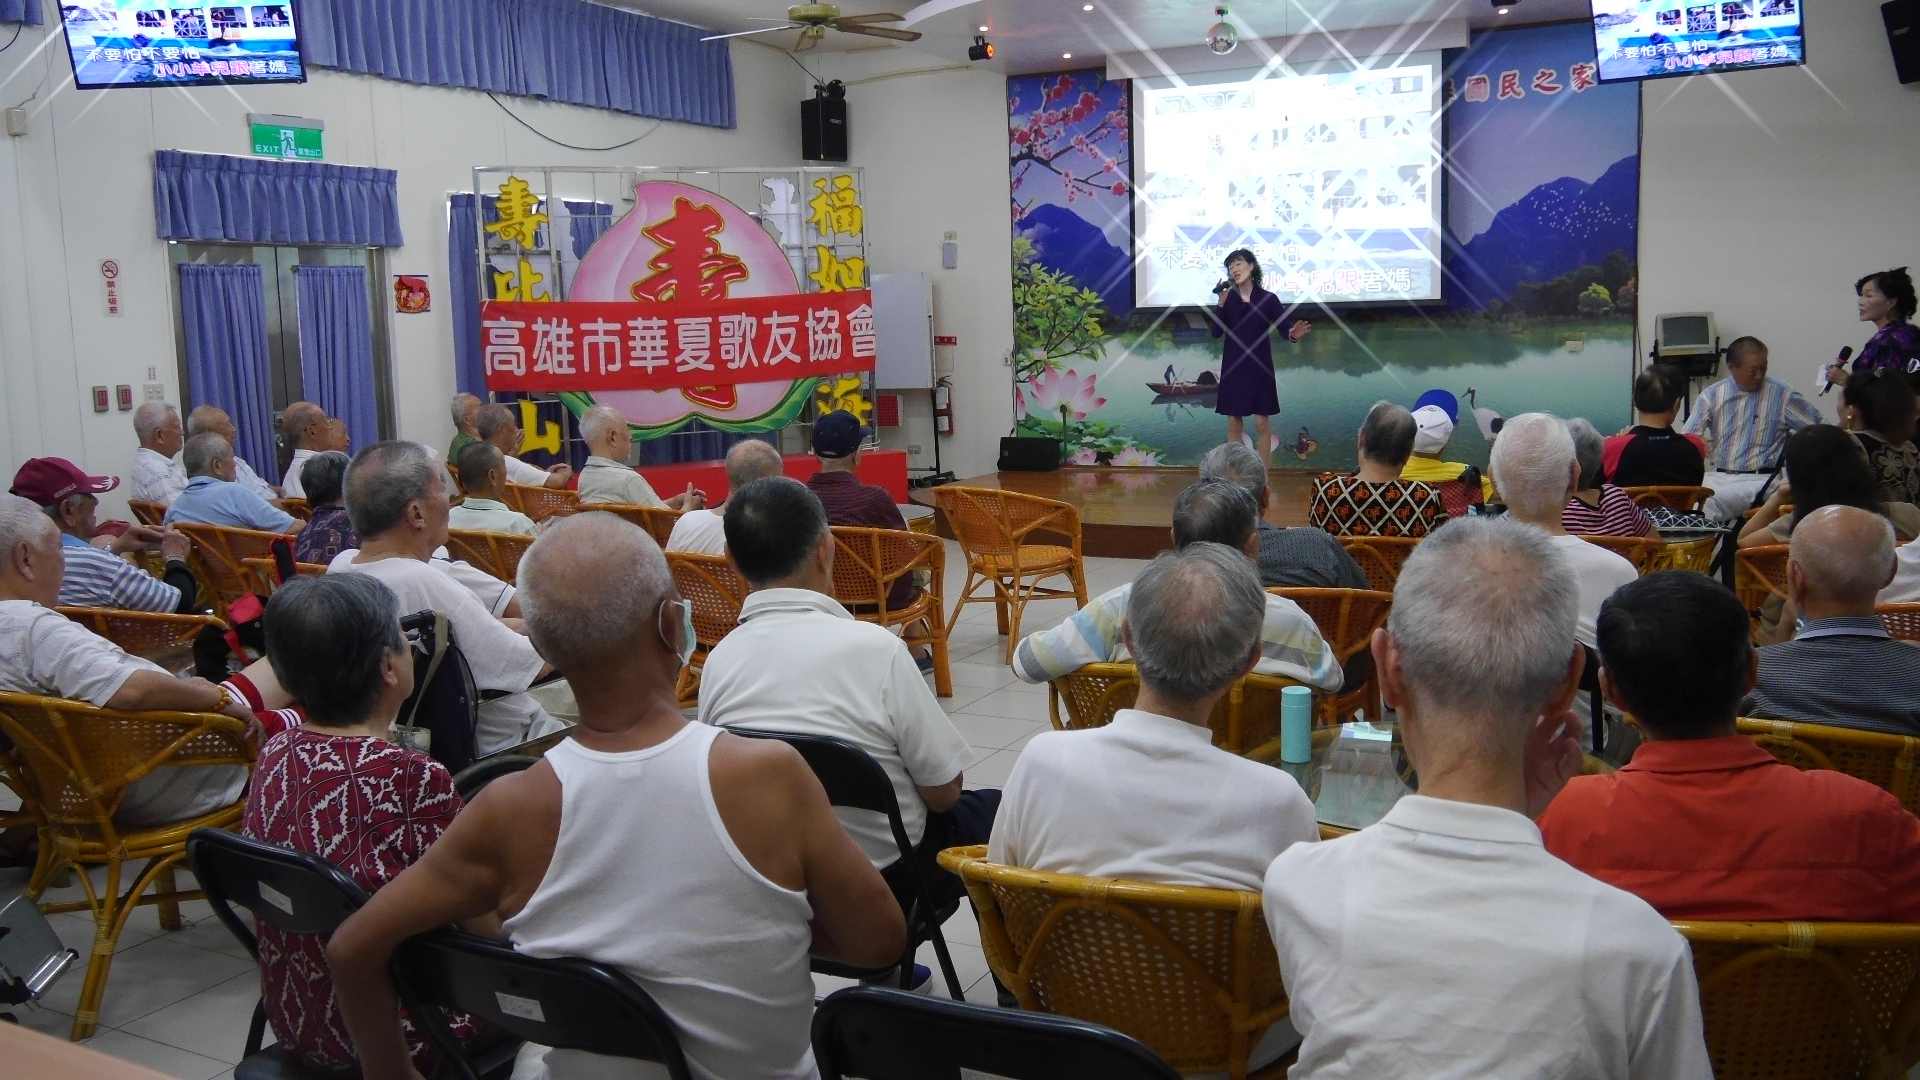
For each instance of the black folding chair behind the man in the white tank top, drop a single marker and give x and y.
(567, 1004)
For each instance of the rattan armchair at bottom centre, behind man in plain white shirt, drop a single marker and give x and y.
(1188, 971)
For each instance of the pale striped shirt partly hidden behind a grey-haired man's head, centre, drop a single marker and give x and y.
(1291, 645)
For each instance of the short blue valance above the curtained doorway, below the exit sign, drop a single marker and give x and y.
(247, 201)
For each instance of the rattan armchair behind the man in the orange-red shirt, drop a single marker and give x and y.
(1810, 1000)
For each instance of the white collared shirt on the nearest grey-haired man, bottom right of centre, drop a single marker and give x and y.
(1445, 943)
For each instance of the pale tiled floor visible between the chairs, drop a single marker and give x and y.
(181, 1002)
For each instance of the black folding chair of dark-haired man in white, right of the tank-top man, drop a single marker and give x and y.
(857, 781)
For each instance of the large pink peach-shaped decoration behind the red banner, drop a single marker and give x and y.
(619, 260)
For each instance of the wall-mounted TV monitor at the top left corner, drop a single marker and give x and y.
(181, 43)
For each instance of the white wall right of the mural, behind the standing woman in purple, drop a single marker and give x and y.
(1765, 195)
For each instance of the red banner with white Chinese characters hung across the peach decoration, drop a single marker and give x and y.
(665, 347)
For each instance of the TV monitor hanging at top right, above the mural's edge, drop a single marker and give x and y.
(1654, 39)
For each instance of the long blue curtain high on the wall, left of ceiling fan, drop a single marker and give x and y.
(565, 51)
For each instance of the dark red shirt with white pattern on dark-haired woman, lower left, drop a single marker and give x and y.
(370, 808)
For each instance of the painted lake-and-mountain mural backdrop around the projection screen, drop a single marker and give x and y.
(1541, 260)
